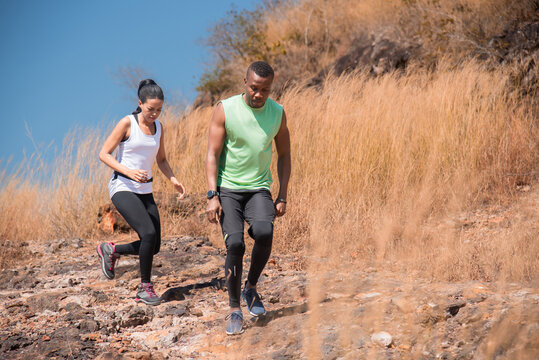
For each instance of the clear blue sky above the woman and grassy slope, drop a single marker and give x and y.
(60, 61)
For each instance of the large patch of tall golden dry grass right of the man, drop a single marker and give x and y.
(378, 161)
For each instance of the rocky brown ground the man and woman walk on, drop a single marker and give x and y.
(61, 307)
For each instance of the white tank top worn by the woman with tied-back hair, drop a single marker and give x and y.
(137, 152)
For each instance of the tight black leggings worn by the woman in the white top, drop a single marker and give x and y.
(140, 212)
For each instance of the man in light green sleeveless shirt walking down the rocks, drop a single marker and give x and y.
(242, 130)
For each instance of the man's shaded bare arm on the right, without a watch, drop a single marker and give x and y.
(284, 165)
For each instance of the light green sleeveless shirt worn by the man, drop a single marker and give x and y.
(246, 156)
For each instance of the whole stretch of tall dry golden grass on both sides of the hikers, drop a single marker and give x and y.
(378, 165)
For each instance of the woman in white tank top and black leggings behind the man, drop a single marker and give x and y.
(139, 138)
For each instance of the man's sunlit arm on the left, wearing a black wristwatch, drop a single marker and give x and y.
(216, 139)
